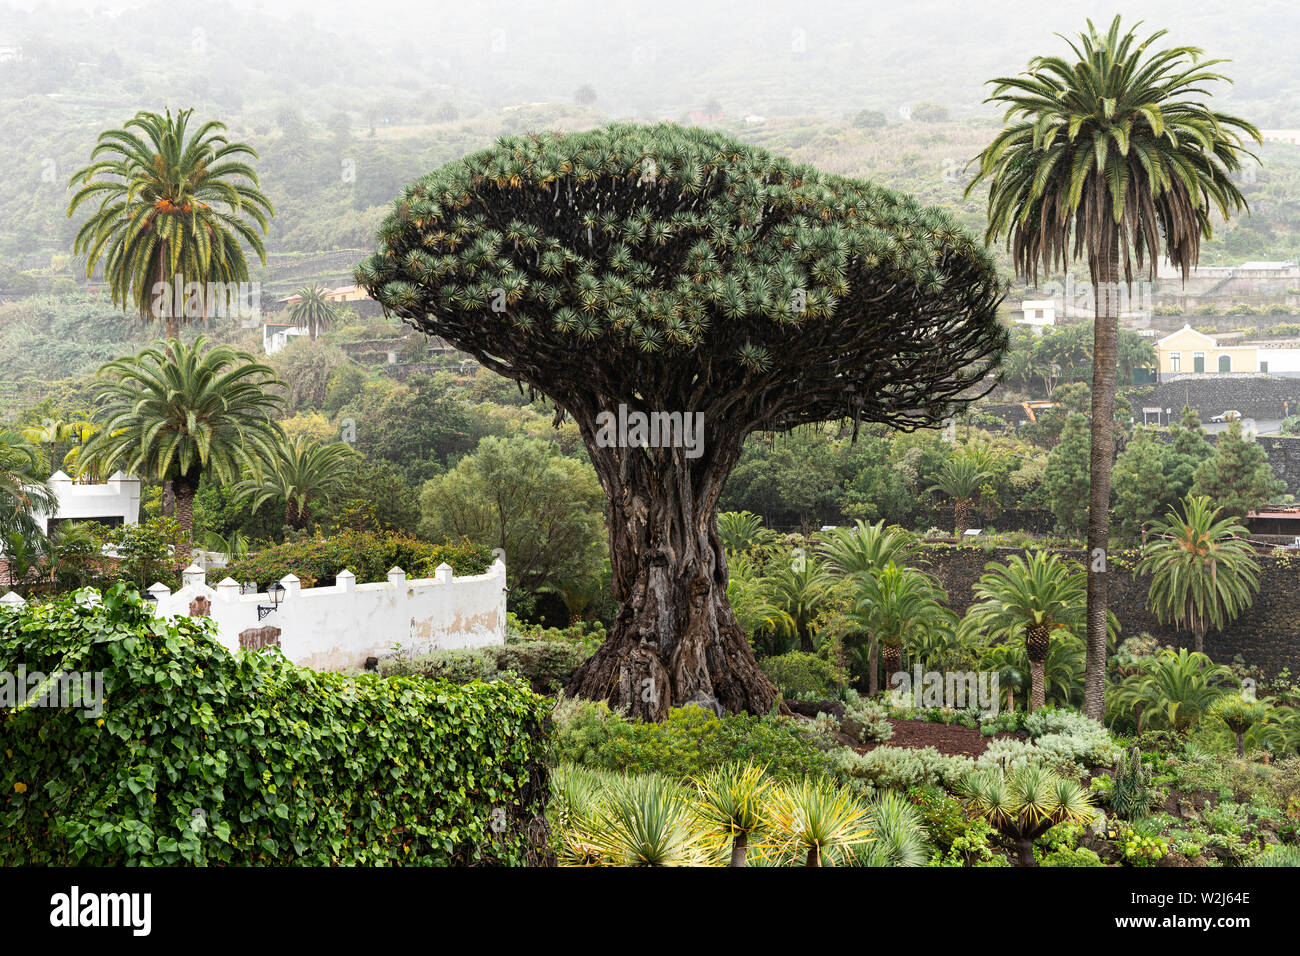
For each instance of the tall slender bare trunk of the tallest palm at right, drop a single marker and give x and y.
(1106, 339)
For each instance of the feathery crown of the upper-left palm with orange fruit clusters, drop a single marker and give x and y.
(174, 206)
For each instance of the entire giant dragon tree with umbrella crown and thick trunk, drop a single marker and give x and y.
(656, 271)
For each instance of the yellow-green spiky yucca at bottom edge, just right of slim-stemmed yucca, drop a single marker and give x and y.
(818, 821)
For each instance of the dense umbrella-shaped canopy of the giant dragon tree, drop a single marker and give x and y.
(660, 265)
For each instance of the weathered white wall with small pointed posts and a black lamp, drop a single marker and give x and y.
(337, 628)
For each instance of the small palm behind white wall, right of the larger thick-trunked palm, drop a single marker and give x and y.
(302, 473)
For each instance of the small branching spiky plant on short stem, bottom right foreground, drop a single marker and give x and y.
(1025, 803)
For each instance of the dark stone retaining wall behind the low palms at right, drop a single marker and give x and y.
(1266, 637)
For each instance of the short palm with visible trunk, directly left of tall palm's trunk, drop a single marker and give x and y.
(1037, 594)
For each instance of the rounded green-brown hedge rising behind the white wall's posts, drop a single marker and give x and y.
(369, 555)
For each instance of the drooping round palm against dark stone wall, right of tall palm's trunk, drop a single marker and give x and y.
(1203, 570)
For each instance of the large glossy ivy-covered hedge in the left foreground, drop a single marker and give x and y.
(205, 758)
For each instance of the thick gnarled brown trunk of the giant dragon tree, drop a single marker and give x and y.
(675, 641)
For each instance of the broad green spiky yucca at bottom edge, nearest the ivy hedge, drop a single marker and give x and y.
(648, 821)
